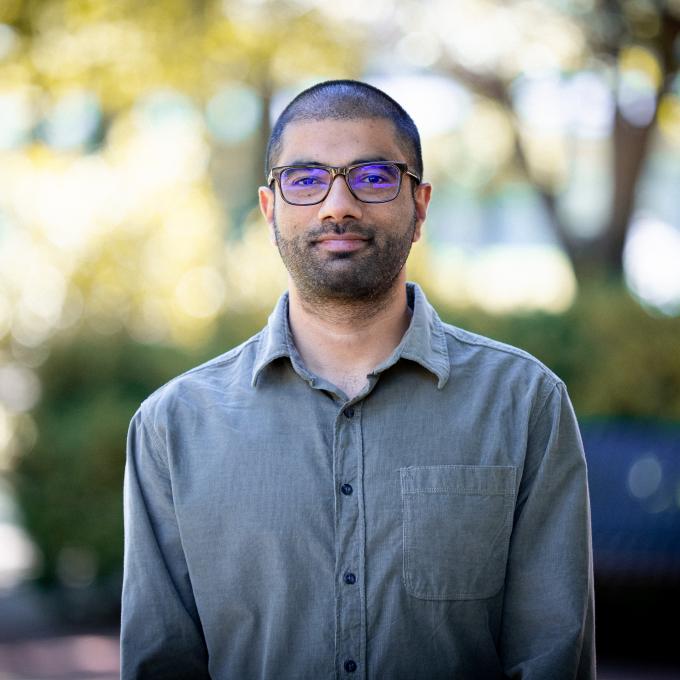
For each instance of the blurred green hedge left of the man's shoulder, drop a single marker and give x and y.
(69, 484)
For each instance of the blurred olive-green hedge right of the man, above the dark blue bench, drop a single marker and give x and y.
(616, 359)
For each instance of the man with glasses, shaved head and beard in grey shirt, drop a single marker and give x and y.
(358, 491)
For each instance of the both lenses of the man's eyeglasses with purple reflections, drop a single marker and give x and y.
(372, 183)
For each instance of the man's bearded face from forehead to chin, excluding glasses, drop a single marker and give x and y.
(342, 248)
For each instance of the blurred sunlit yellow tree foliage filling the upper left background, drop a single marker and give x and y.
(131, 220)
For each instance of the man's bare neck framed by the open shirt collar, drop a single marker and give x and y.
(342, 341)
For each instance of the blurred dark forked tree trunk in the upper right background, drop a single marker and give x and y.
(633, 37)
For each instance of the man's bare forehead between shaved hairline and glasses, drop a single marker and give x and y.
(340, 142)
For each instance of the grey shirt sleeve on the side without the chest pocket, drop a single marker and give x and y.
(161, 635)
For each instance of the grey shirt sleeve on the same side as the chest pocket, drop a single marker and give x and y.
(548, 610)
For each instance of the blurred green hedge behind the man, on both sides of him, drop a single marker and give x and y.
(616, 359)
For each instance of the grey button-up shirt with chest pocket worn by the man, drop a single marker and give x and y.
(435, 526)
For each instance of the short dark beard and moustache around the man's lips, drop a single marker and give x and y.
(364, 275)
